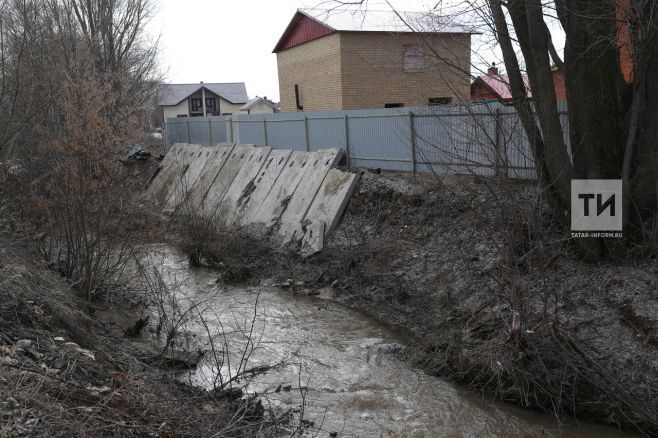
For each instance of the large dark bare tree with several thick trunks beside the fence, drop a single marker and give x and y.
(609, 62)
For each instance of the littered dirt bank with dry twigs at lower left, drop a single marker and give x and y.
(68, 369)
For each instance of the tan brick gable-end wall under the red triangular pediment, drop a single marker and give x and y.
(315, 66)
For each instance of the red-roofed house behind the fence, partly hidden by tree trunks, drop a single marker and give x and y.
(494, 86)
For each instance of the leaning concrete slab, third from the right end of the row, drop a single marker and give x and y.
(276, 202)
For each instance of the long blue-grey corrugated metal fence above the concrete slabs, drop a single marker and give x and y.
(484, 139)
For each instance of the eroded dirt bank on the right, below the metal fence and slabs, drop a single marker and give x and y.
(446, 262)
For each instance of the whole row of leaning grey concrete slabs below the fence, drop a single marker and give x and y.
(292, 196)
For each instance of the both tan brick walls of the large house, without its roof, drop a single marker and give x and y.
(355, 70)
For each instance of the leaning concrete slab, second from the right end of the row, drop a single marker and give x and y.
(314, 174)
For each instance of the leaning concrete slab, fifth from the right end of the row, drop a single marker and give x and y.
(242, 185)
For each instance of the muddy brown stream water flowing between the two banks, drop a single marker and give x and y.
(354, 389)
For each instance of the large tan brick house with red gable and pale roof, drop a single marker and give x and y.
(343, 60)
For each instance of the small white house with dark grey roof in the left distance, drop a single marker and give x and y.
(202, 99)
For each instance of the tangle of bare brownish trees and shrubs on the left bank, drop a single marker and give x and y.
(75, 76)
